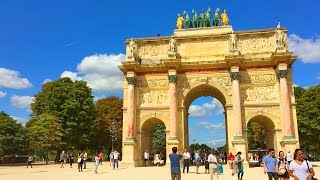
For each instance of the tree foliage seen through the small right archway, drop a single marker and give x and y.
(256, 136)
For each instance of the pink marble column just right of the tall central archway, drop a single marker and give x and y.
(235, 76)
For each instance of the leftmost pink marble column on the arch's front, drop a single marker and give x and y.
(130, 108)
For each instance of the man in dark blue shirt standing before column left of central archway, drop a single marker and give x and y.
(175, 164)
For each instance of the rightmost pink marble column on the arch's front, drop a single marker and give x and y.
(285, 103)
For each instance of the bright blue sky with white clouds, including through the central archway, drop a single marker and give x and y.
(42, 41)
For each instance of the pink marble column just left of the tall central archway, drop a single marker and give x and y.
(173, 106)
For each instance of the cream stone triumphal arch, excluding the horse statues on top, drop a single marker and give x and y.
(249, 72)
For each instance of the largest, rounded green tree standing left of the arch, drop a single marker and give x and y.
(72, 103)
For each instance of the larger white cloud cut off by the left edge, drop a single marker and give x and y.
(10, 79)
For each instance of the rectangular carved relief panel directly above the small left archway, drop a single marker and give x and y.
(150, 97)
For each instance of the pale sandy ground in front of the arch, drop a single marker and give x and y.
(54, 172)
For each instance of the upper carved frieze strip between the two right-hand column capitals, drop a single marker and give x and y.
(259, 78)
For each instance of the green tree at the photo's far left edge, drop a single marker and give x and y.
(13, 136)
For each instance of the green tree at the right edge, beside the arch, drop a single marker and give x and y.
(308, 117)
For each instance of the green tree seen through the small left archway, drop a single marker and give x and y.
(159, 138)
